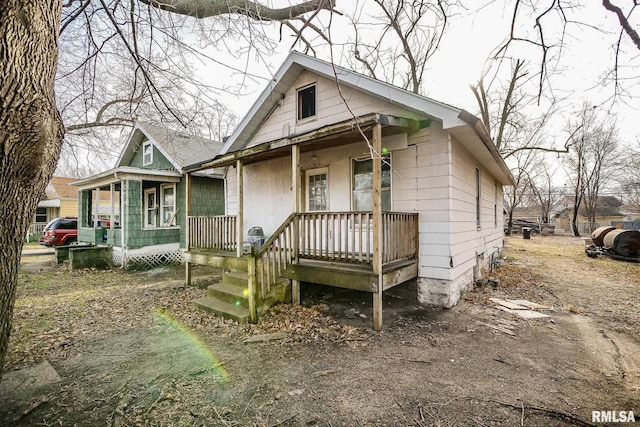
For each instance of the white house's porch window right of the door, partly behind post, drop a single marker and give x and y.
(362, 184)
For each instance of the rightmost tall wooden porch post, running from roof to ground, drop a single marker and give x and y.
(377, 223)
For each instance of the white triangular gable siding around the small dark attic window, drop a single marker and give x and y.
(330, 108)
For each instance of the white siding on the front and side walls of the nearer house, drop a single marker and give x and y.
(433, 175)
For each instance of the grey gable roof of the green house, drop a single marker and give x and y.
(178, 148)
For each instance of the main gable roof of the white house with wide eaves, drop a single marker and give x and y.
(467, 128)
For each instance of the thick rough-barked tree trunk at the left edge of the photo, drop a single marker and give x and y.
(30, 131)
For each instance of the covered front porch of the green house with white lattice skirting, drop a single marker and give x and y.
(132, 210)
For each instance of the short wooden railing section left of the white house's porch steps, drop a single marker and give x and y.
(217, 232)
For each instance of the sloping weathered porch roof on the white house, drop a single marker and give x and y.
(323, 137)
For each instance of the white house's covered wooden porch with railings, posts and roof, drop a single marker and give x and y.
(368, 250)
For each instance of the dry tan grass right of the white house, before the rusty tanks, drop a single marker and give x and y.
(601, 287)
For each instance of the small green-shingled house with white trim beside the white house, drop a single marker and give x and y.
(145, 197)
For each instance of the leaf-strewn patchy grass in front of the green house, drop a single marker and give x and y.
(56, 308)
